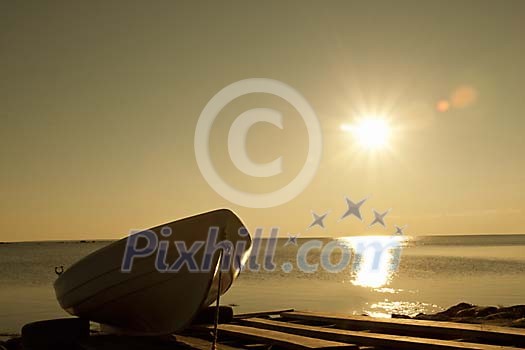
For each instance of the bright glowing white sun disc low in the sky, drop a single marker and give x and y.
(371, 133)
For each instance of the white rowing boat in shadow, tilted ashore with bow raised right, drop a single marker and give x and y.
(145, 300)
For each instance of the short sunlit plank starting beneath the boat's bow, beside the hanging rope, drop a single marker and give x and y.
(284, 340)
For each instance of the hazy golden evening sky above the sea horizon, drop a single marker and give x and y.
(100, 103)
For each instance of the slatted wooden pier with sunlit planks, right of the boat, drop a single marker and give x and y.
(289, 329)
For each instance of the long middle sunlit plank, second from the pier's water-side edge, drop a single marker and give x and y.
(366, 338)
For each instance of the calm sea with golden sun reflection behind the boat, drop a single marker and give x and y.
(433, 273)
